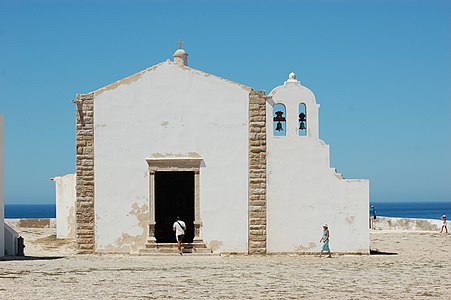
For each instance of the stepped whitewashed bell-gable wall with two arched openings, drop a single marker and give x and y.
(303, 191)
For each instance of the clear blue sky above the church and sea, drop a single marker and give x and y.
(381, 71)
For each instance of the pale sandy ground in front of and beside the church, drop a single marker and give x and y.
(420, 269)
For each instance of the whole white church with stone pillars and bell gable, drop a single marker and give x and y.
(246, 171)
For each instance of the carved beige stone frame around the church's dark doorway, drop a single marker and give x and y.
(173, 164)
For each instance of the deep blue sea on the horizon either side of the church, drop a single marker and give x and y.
(417, 210)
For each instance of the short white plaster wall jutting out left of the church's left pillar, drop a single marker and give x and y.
(65, 206)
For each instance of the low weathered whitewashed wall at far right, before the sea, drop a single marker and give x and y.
(386, 223)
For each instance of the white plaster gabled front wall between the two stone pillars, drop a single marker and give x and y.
(163, 111)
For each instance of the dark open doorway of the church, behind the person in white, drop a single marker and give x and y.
(174, 196)
